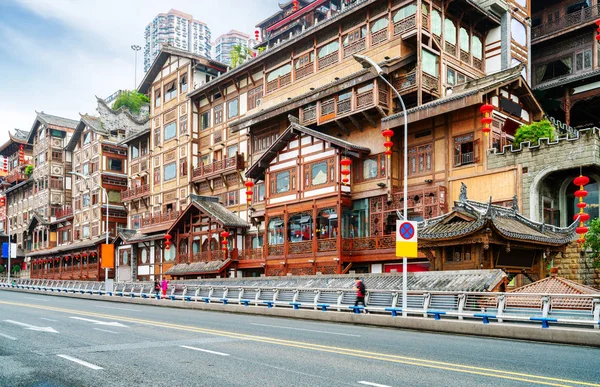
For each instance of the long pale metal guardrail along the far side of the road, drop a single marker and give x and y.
(547, 309)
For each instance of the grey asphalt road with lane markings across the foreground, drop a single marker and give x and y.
(57, 341)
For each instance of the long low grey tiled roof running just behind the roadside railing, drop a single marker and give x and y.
(451, 281)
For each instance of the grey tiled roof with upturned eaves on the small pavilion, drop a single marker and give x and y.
(469, 216)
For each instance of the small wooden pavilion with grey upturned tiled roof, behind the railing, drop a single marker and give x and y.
(476, 235)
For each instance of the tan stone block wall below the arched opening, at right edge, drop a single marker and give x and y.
(575, 266)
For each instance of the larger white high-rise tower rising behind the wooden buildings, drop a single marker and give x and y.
(176, 29)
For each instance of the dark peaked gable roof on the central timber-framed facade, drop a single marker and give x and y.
(258, 168)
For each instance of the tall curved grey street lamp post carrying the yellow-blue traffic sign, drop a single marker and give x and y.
(374, 68)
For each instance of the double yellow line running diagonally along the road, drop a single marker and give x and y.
(490, 372)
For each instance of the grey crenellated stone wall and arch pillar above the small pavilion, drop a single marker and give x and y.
(534, 162)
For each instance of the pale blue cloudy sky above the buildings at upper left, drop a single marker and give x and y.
(57, 55)
